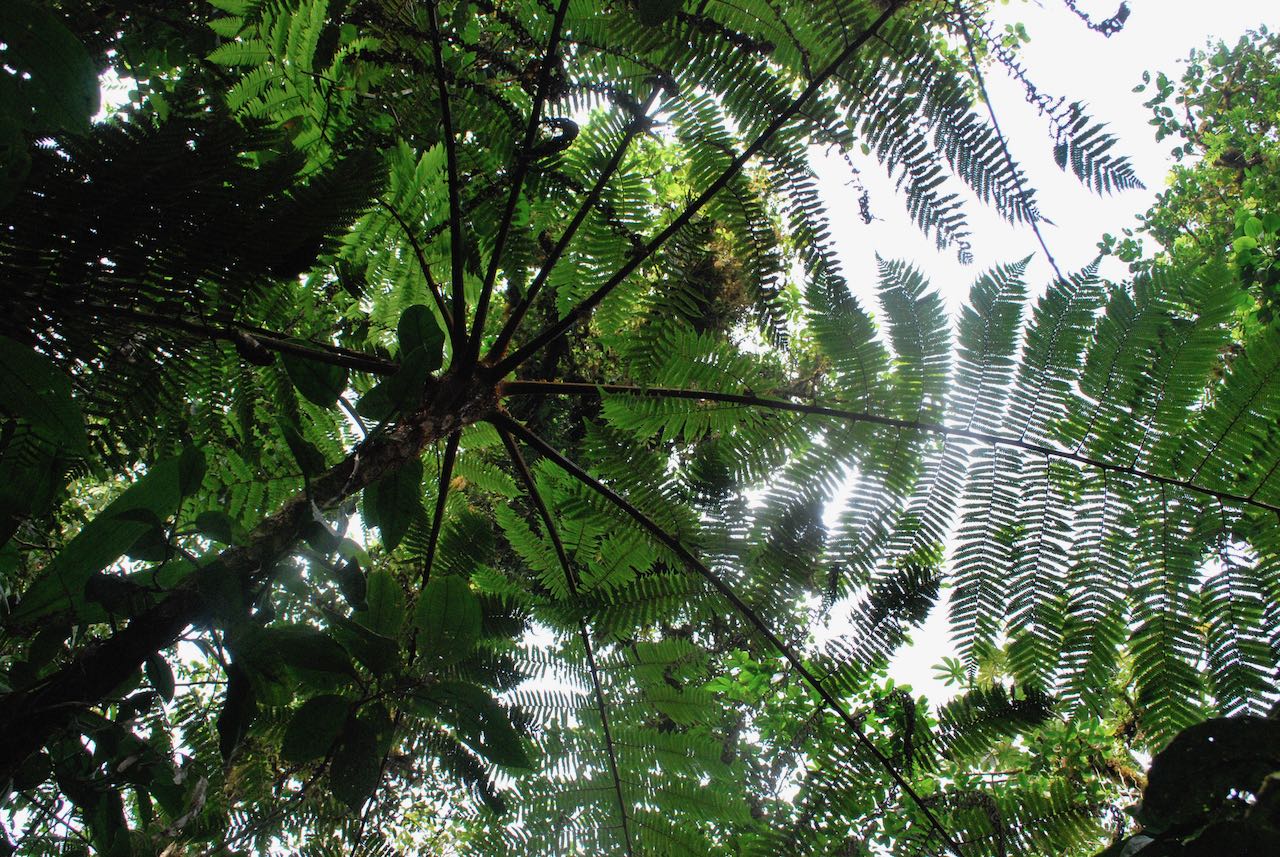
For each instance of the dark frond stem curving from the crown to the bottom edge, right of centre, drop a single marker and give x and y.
(752, 618)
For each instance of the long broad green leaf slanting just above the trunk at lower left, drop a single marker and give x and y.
(100, 543)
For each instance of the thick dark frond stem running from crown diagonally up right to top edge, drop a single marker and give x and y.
(592, 301)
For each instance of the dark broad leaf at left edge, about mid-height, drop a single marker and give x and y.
(34, 389)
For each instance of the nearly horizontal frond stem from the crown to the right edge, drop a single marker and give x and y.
(569, 388)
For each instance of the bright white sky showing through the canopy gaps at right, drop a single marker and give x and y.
(1064, 58)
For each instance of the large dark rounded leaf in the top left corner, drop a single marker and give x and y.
(57, 84)
